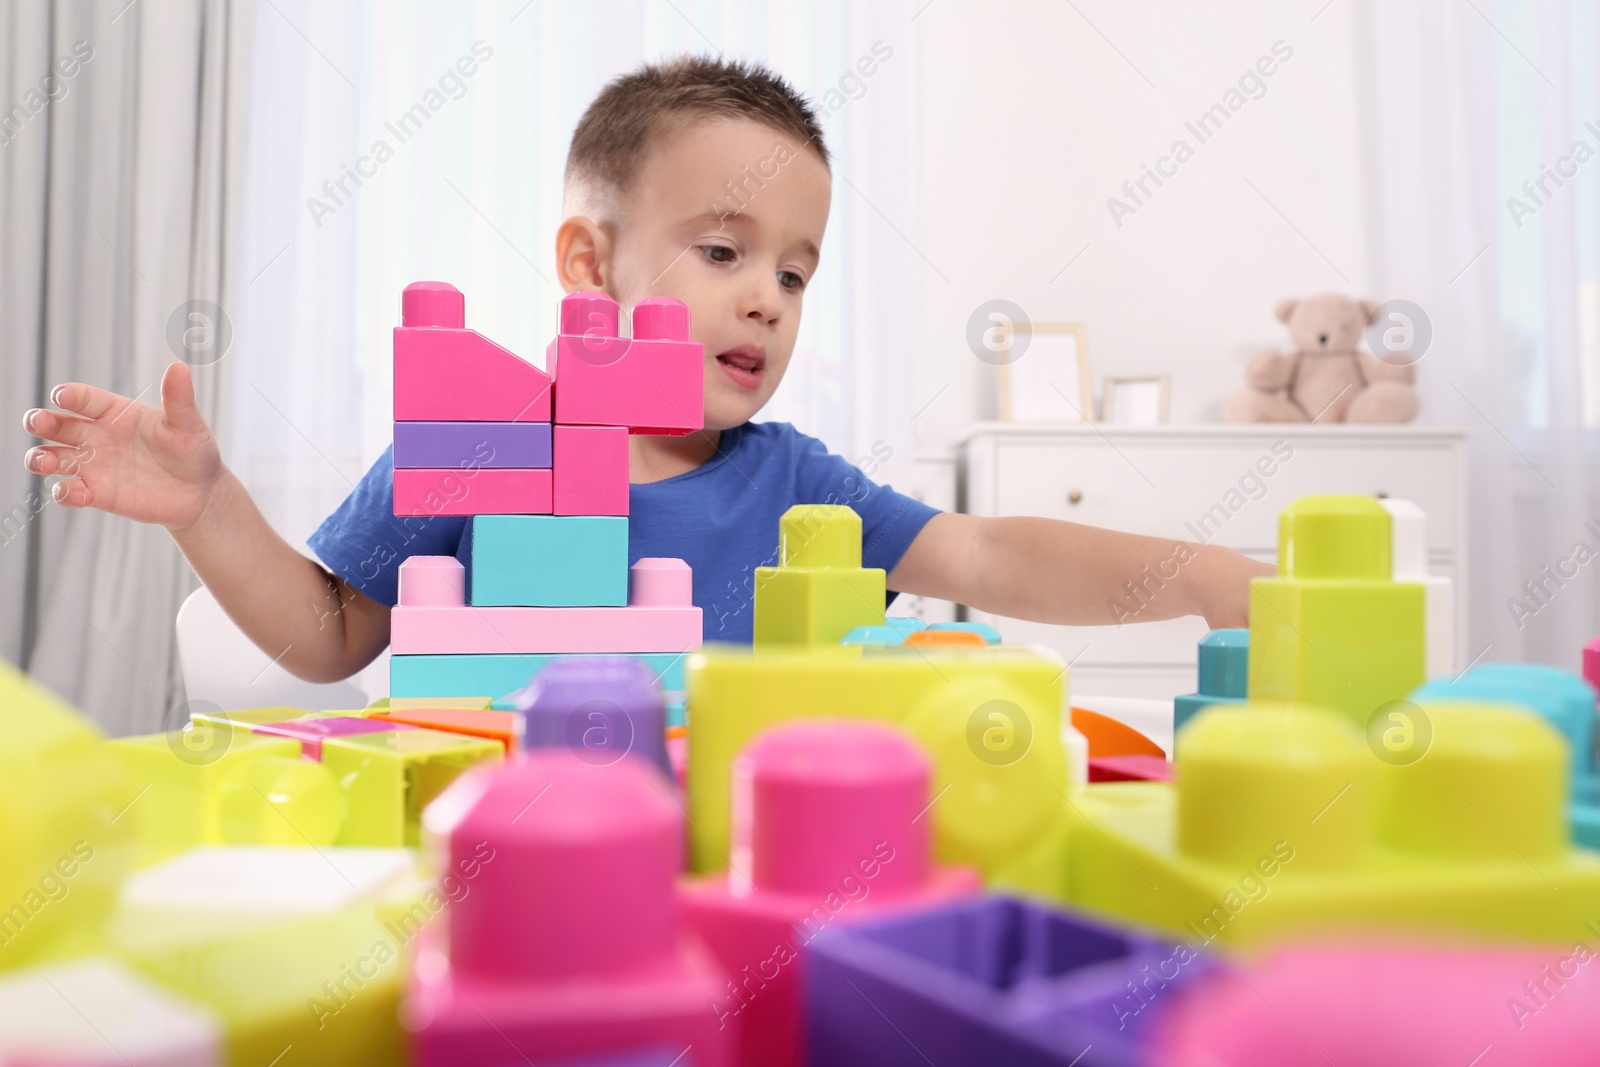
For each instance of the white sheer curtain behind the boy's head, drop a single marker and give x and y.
(473, 196)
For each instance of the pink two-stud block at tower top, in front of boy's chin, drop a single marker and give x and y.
(654, 383)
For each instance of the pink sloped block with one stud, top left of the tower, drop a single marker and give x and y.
(446, 372)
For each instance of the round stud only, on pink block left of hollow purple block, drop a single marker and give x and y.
(822, 801)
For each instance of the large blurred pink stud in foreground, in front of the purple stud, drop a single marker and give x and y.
(575, 866)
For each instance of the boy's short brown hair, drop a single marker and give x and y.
(625, 121)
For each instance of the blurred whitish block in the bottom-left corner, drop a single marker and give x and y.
(95, 1012)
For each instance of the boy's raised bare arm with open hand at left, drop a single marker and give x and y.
(164, 466)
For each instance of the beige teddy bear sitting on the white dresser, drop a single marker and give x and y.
(1327, 378)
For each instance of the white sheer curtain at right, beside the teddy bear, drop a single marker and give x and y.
(1468, 103)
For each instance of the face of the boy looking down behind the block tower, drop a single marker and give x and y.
(729, 218)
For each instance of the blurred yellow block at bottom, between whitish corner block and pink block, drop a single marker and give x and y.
(319, 989)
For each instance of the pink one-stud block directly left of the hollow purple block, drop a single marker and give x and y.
(828, 828)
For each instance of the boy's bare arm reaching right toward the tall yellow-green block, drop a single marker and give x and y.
(1073, 575)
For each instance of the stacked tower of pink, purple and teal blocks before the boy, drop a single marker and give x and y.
(540, 463)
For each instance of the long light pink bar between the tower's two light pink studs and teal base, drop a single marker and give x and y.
(468, 631)
